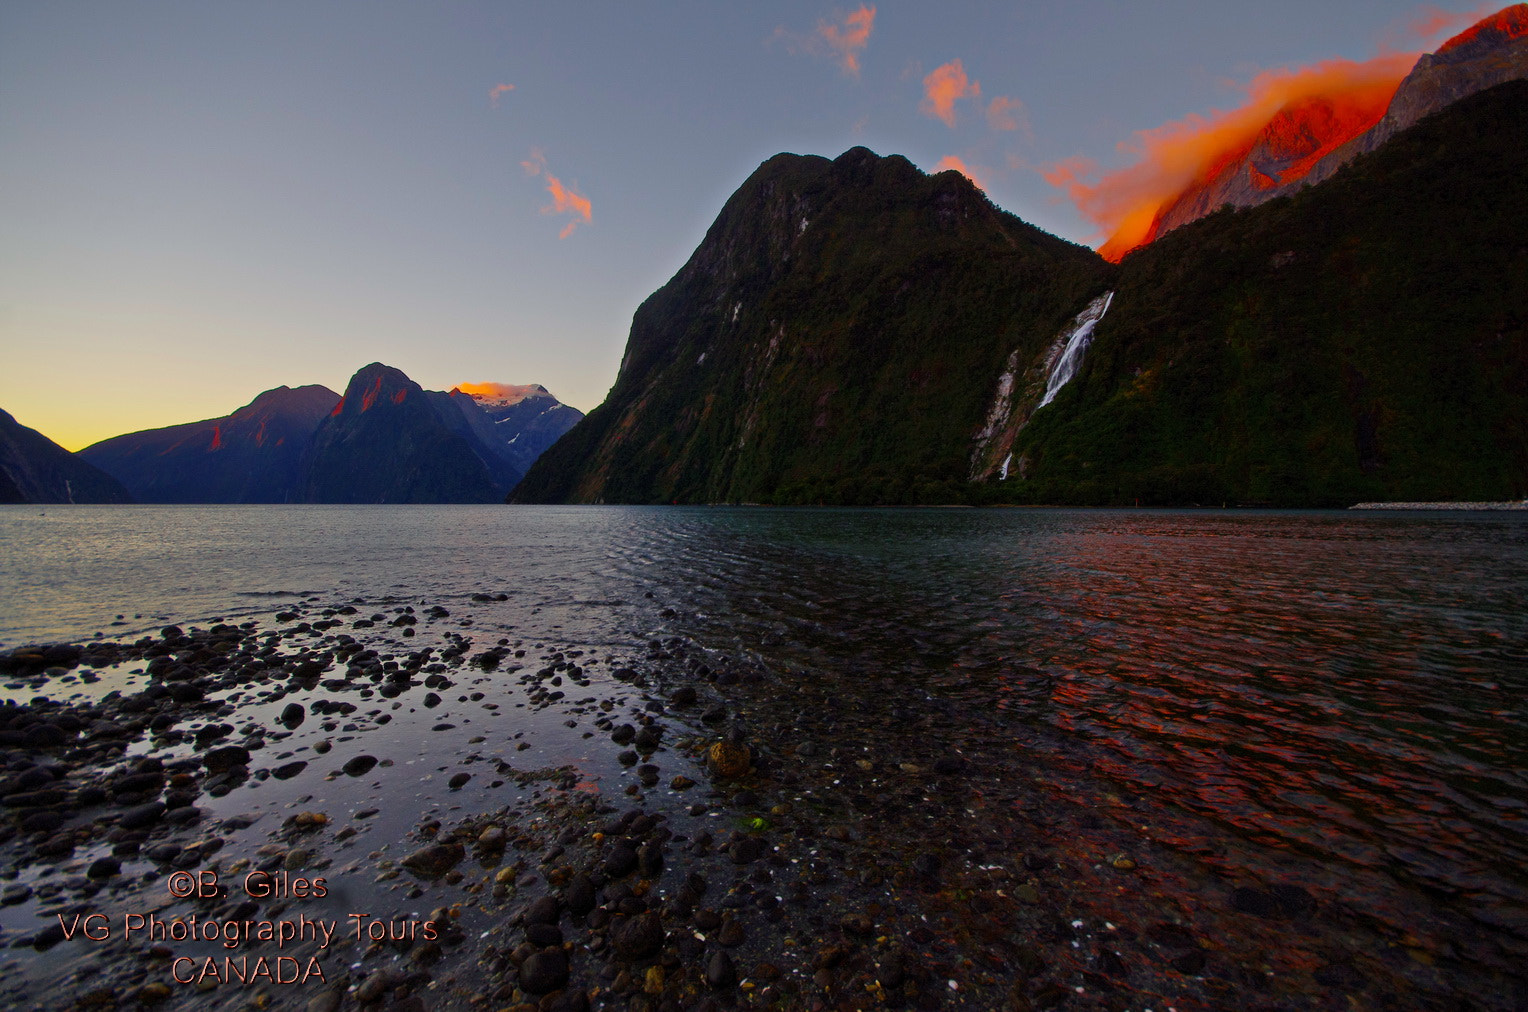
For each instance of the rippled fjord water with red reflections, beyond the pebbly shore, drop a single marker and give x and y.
(1332, 699)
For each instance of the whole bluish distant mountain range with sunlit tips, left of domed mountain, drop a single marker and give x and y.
(386, 441)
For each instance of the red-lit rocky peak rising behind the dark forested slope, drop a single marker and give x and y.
(1309, 140)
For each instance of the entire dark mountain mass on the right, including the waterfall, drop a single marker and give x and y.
(859, 332)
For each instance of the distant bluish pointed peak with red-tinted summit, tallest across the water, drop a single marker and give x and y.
(389, 441)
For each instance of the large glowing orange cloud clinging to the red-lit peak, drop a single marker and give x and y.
(1176, 157)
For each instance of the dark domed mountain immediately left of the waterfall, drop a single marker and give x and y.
(823, 343)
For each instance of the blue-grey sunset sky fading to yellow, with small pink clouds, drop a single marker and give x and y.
(202, 201)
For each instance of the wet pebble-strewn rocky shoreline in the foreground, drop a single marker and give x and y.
(730, 837)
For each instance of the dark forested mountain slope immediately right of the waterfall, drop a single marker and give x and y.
(1359, 340)
